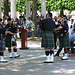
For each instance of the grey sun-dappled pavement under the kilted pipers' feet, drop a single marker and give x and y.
(31, 61)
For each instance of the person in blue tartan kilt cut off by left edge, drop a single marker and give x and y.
(2, 41)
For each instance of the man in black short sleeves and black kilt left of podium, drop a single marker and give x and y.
(10, 40)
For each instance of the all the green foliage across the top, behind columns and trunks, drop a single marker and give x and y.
(55, 5)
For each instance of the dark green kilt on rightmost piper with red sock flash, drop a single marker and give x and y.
(64, 41)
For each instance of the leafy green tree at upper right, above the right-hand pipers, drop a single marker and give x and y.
(61, 5)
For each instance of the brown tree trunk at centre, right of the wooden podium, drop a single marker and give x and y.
(34, 13)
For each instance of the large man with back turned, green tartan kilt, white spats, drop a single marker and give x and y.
(47, 26)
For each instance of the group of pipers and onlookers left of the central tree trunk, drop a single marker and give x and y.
(9, 32)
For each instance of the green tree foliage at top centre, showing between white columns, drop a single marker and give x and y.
(21, 5)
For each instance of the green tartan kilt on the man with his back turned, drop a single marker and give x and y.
(47, 40)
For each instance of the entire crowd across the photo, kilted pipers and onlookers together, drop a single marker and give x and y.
(60, 28)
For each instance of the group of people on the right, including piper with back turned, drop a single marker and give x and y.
(61, 28)
